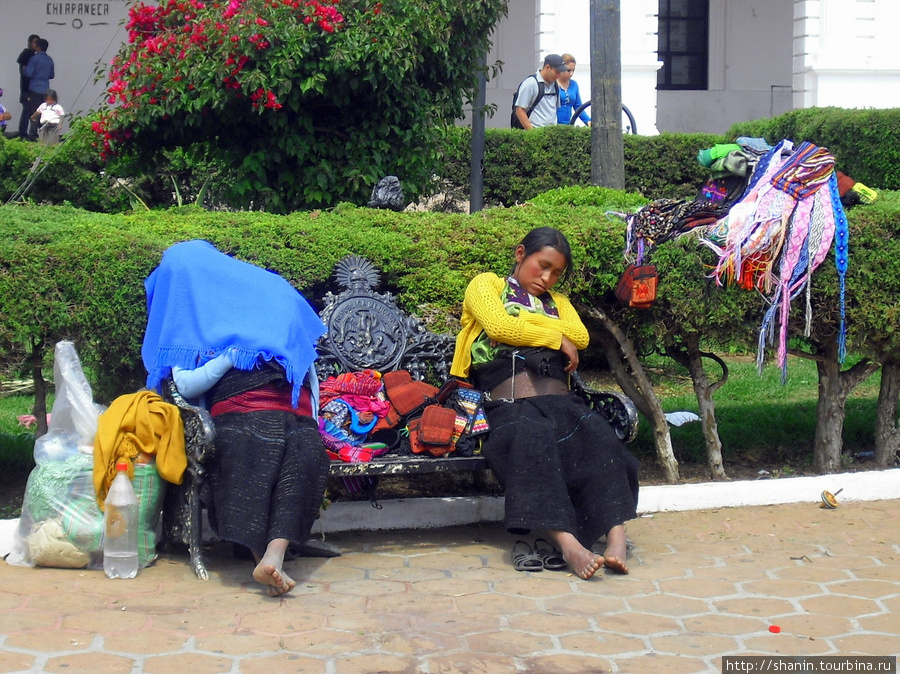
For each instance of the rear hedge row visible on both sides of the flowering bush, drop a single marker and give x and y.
(518, 165)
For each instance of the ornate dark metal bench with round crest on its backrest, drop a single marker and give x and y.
(366, 330)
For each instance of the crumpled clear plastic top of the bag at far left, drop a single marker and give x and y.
(73, 420)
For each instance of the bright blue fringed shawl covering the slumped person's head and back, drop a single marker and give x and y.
(201, 302)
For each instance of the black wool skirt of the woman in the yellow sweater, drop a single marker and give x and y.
(562, 467)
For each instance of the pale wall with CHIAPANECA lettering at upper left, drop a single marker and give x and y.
(81, 35)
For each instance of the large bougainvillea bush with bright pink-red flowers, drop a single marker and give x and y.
(302, 103)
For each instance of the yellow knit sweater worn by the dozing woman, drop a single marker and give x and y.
(483, 310)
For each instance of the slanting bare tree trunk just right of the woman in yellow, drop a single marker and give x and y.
(637, 385)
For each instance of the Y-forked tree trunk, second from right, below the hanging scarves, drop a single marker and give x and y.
(834, 387)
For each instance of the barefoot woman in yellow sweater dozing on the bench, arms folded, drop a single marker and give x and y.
(563, 469)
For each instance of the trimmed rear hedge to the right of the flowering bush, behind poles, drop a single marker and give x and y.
(519, 165)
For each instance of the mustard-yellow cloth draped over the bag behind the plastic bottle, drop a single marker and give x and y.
(135, 423)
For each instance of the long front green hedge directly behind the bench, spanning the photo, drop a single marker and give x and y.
(69, 274)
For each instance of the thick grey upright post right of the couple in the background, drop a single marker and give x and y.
(607, 147)
